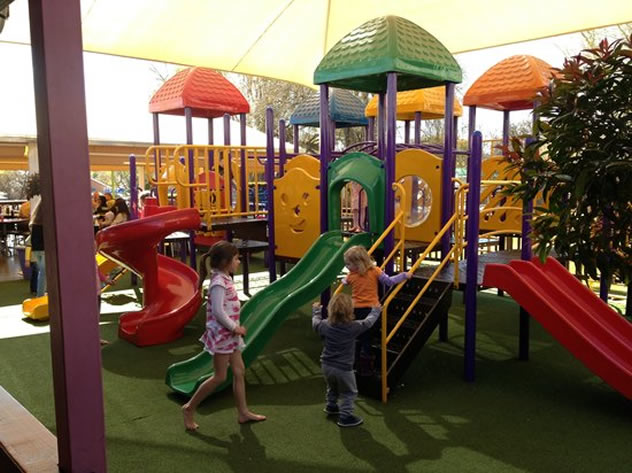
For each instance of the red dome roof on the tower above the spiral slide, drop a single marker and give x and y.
(207, 92)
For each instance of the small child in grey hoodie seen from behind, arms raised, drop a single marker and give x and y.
(339, 333)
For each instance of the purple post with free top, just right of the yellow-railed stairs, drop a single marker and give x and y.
(471, 283)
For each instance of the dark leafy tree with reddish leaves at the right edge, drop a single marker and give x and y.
(582, 162)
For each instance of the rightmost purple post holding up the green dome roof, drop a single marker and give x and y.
(447, 197)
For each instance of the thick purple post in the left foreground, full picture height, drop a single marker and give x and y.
(62, 143)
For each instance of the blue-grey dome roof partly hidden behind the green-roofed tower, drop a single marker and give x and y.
(345, 109)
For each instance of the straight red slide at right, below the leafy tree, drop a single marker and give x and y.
(594, 333)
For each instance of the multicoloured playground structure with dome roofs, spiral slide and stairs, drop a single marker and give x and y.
(231, 185)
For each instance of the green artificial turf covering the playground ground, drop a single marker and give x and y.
(546, 415)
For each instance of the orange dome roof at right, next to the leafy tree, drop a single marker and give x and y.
(512, 84)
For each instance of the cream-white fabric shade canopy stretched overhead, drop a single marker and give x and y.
(286, 39)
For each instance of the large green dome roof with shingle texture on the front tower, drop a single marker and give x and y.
(362, 59)
